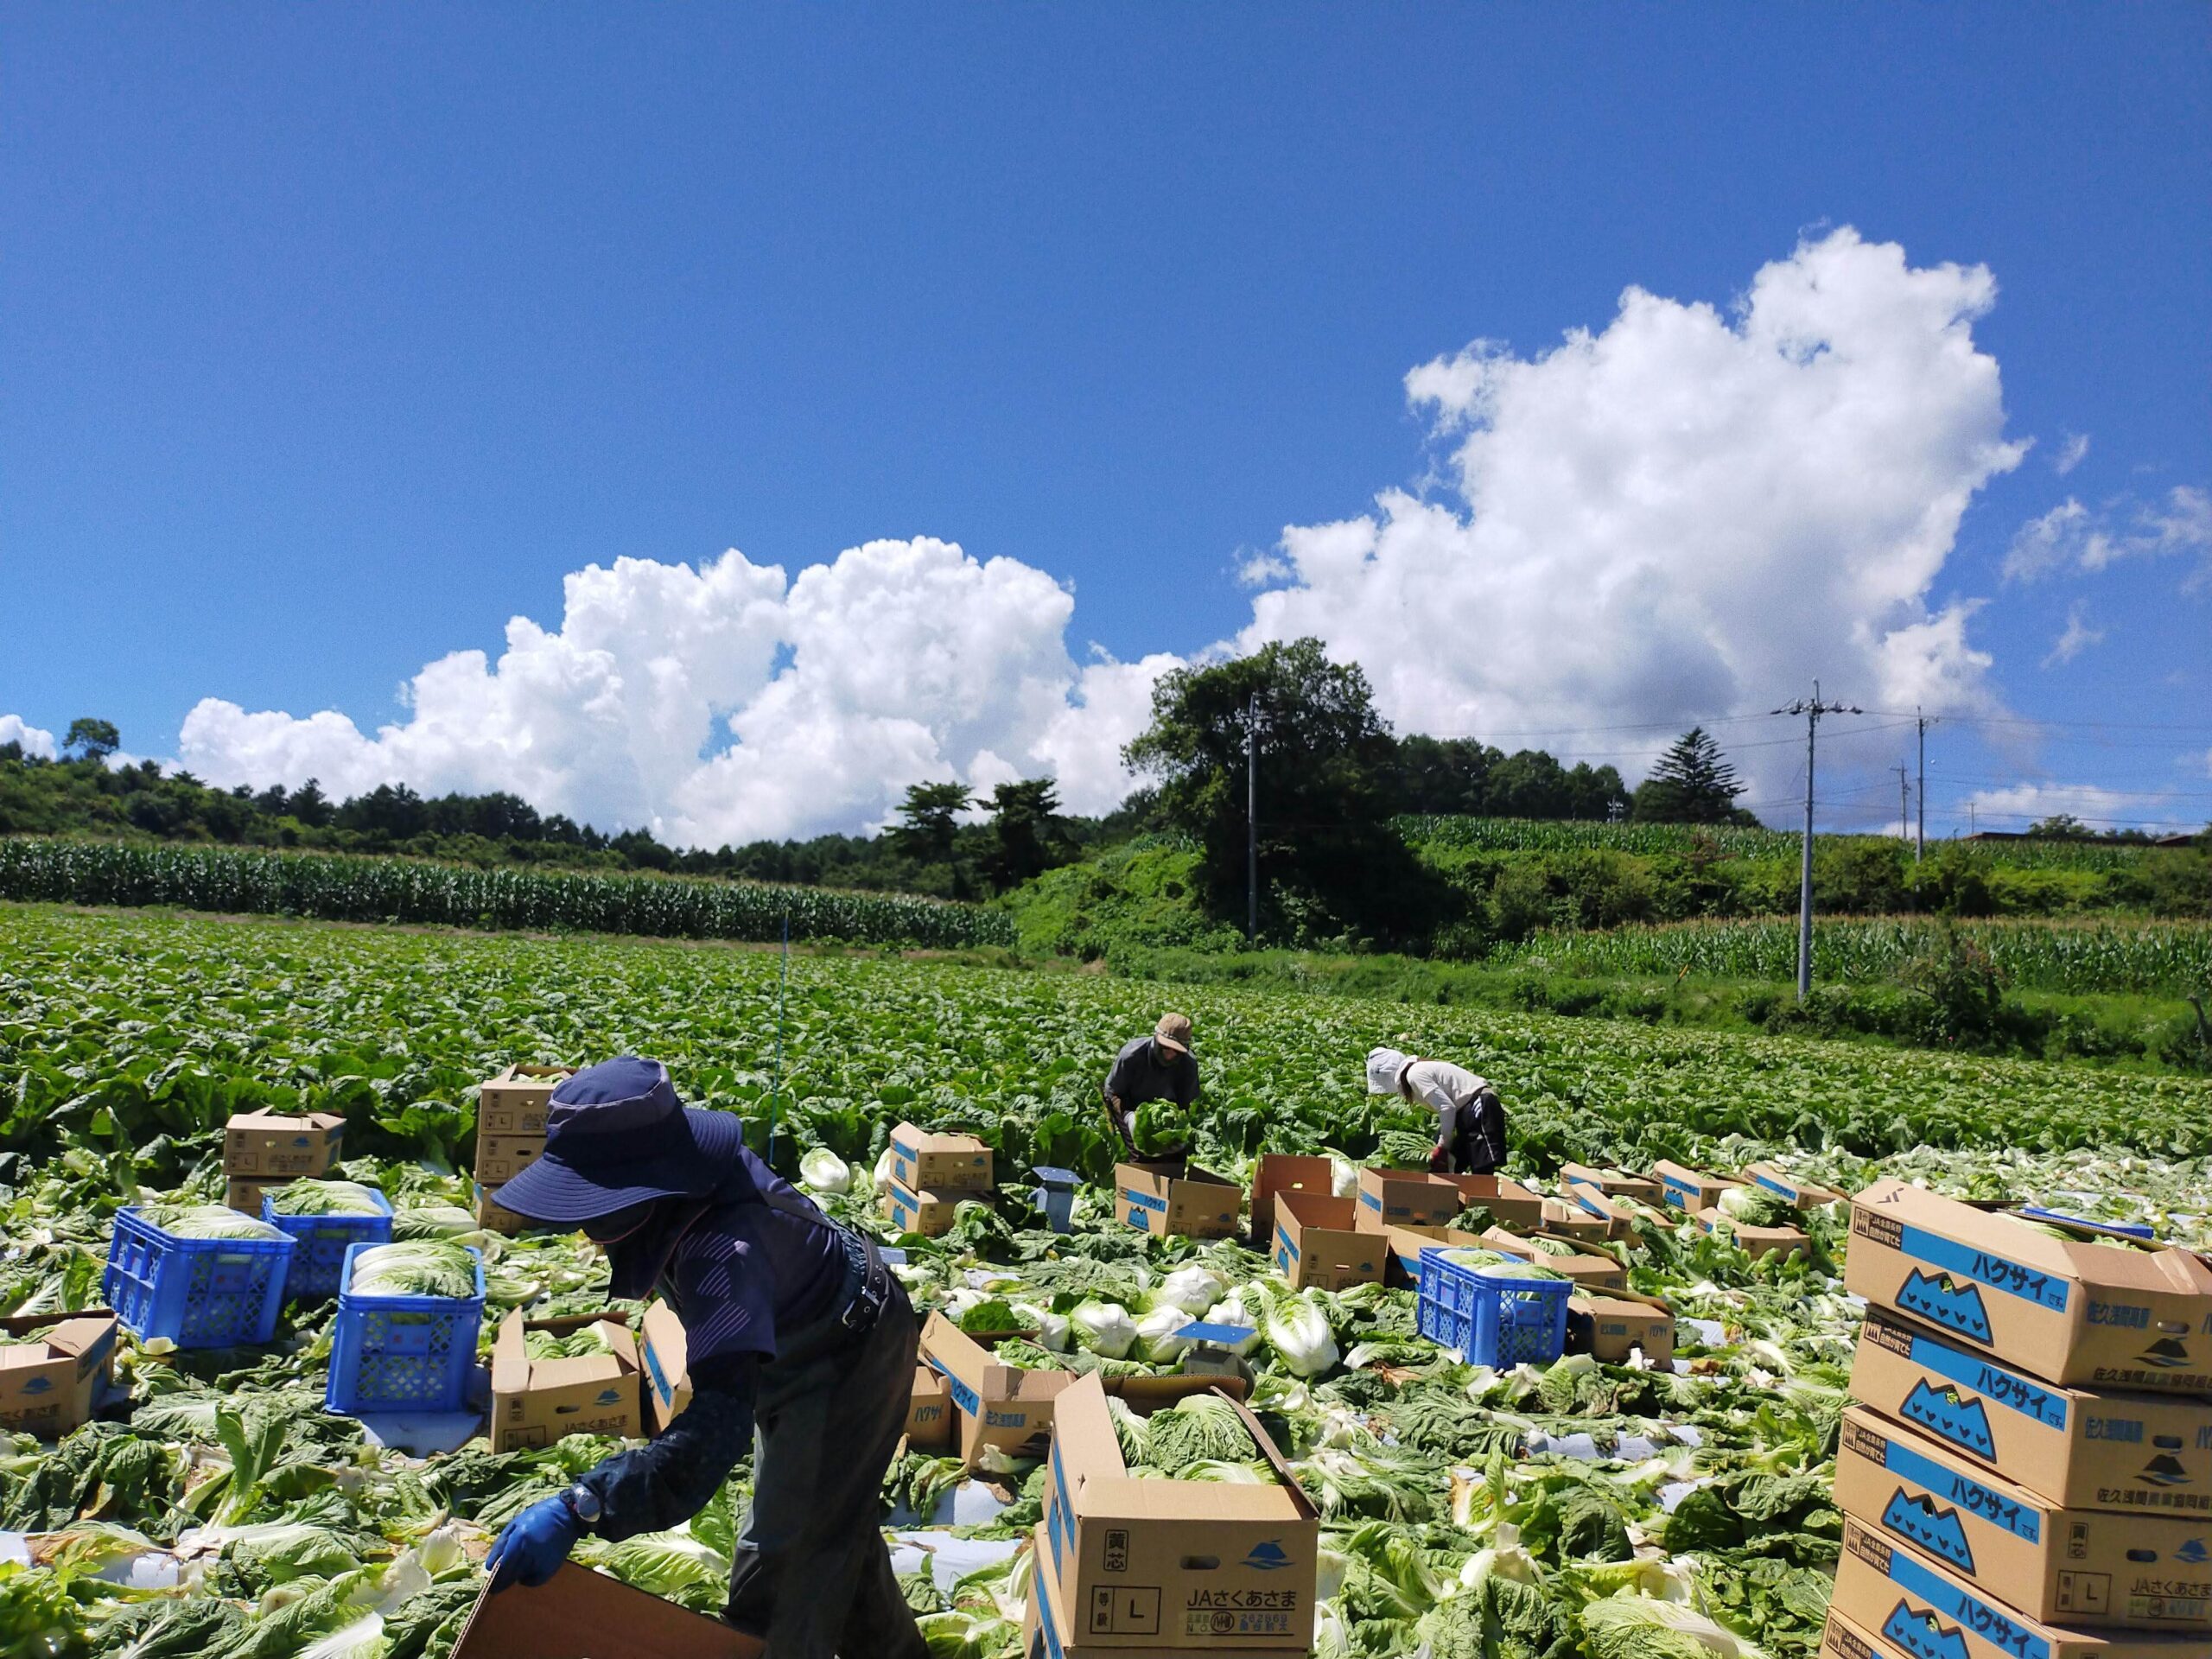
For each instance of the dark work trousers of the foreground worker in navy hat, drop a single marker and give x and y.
(813, 1574)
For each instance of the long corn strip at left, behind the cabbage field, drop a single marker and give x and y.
(406, 890)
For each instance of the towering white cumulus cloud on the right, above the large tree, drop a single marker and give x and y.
(1684, 514)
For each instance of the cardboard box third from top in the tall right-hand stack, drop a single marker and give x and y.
(2056, 1565)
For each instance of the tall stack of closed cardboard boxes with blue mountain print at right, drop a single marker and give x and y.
(2027, 1465)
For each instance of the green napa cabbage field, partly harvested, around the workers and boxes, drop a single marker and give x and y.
(1567, 1510)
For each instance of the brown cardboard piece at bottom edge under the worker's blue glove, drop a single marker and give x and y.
(587, 1616)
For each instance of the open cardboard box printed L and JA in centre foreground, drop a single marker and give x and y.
(1162, 1565)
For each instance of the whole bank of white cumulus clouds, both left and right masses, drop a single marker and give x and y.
(1682, 517)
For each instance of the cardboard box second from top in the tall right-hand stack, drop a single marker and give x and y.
(2131, 1452)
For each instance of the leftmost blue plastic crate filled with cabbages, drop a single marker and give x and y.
(198, 1293)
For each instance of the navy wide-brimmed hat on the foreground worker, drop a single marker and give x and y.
(618, 1136)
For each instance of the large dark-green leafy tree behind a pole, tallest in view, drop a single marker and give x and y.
(1328, 859)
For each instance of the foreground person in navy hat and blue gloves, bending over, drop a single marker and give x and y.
(800, 1348)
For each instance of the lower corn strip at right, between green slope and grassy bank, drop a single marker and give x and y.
(2160, 959)
